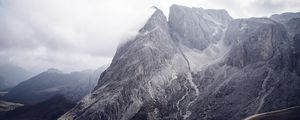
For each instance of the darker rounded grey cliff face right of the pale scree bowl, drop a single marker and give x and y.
(254, 40)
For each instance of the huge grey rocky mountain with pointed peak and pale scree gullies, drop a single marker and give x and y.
(198, 64)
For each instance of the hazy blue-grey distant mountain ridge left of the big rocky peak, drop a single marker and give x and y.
(52, 82)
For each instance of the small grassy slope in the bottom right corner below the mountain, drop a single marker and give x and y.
(285, 114)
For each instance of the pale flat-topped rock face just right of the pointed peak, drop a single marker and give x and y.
(197, 27)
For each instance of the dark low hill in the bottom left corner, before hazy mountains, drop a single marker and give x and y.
(50, 109)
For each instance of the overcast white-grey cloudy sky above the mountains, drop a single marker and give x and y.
(74, 35)
